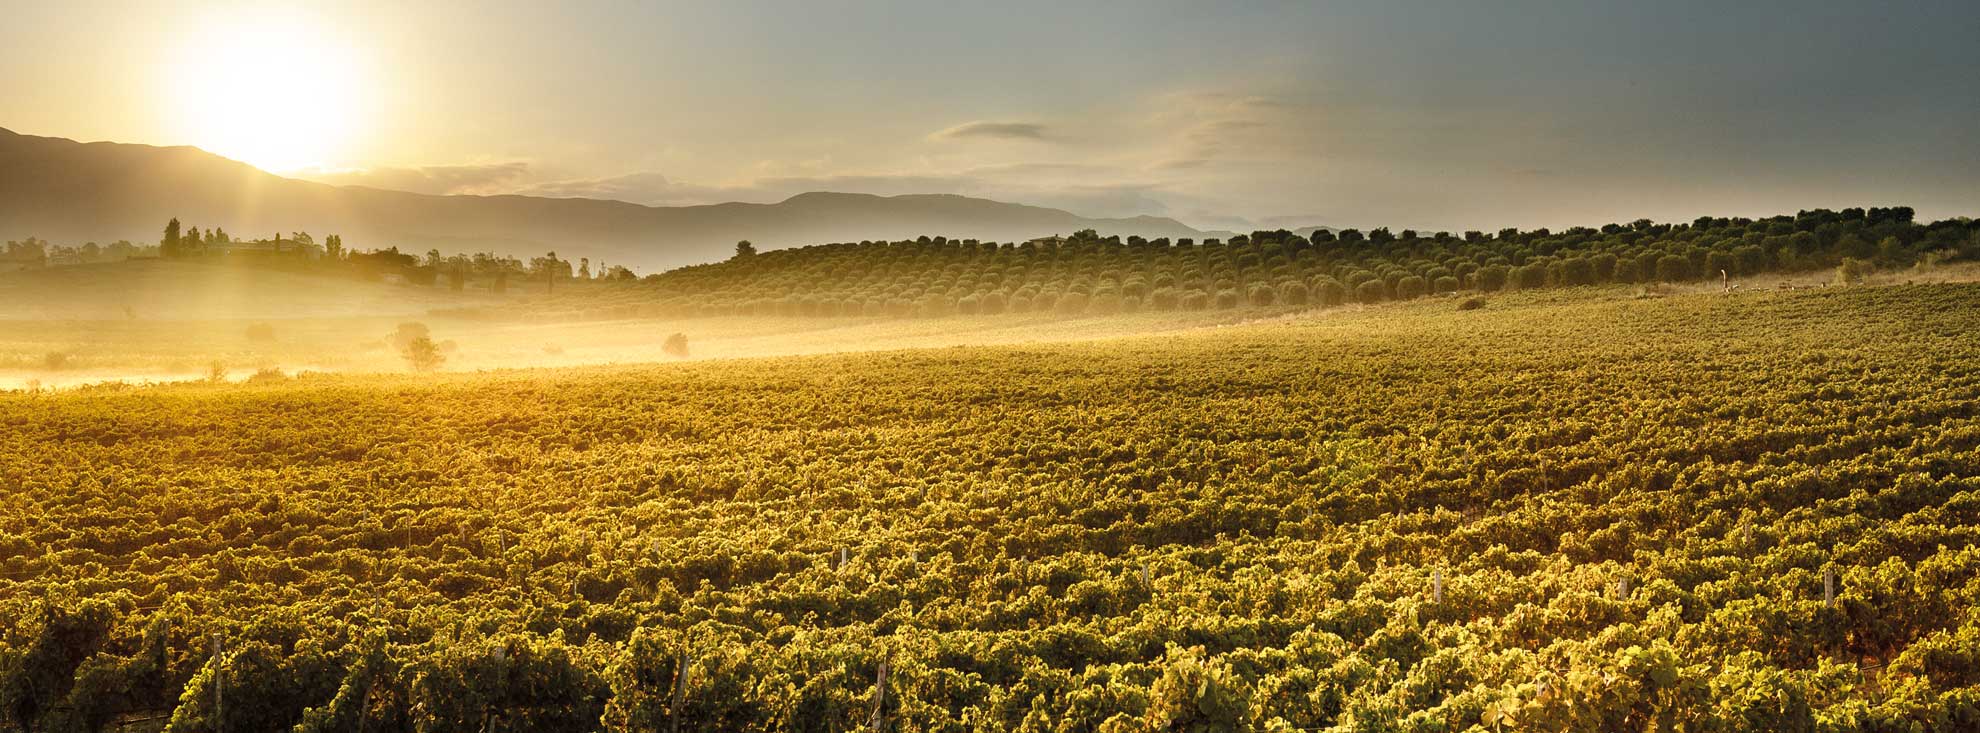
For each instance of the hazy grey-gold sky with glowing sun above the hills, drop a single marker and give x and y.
(1435, 116)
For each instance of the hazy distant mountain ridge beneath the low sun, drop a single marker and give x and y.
(72, 193)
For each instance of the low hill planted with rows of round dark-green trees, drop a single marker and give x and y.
(1092, 274)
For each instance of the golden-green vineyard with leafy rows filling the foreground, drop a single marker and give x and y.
(1567, 510)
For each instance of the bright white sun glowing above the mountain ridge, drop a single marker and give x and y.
(270, 90)
